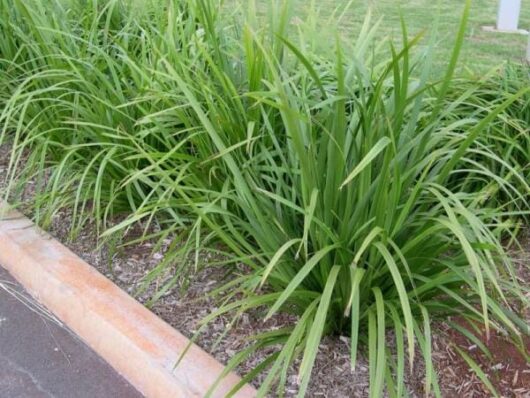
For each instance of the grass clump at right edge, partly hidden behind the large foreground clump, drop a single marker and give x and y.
(505, 146)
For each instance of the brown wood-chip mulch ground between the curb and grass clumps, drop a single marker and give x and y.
(184, 308)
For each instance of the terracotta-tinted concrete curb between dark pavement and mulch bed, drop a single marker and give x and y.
(134, 341)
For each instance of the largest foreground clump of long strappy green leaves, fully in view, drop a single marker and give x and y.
(339, 201)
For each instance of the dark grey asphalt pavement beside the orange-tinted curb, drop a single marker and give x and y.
(39, 358)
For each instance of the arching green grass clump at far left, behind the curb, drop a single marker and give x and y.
(77, 79)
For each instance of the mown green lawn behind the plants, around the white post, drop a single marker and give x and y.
(482, 50)
